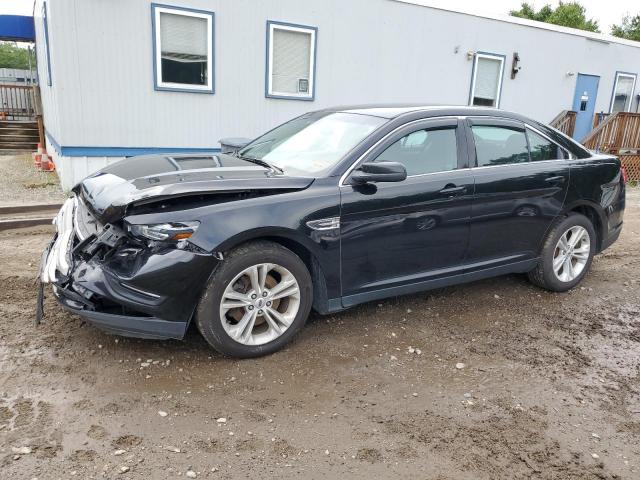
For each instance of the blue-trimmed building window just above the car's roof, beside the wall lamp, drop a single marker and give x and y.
(486, 80)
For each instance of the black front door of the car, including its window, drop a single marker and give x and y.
(398, 235)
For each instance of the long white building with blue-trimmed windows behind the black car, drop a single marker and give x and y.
(122, 77)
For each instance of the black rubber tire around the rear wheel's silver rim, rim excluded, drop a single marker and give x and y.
(543, 275)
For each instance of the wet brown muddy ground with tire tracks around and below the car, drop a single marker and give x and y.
(550, 387)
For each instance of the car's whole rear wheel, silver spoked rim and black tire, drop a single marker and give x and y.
(566, 255)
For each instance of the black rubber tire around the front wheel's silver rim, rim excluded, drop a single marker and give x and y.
(208, 318)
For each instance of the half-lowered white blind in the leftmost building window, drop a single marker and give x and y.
(183, 38)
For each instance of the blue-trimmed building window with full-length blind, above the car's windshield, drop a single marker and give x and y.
(291, 61)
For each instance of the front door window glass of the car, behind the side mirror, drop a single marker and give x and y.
(424, 151)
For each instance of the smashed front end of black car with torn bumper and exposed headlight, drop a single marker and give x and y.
(129, 280)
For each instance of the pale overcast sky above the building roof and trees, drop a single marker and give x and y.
(607, 12)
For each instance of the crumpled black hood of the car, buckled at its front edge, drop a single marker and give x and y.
(146, 178)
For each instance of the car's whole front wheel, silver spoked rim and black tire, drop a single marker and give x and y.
(256, 301)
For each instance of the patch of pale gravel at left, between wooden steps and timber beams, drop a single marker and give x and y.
(21, 183)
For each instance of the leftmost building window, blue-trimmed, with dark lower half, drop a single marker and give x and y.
(183, 49)
